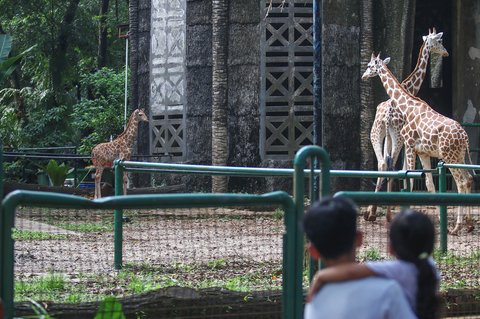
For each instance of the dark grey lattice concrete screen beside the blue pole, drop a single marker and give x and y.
(287, 79)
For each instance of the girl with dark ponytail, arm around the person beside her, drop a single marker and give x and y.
(412, 236)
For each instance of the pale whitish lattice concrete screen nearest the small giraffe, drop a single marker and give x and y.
(167, 92)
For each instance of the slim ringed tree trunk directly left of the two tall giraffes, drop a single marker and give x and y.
(367, 113)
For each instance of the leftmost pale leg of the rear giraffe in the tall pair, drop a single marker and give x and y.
(377, 136)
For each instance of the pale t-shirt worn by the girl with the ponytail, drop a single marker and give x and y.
(403, 272)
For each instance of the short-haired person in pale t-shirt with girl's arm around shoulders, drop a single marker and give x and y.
(330, 226)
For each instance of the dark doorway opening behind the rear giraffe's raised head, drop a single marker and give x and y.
(438, 14)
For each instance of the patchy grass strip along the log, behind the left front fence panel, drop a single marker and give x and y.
(136, 279)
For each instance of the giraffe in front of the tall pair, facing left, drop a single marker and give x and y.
(426, 133)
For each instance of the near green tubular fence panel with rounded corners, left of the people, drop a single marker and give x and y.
(291, 288)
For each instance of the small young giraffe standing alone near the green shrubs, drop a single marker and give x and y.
(120, 148)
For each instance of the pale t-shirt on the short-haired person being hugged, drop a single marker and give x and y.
(366, 298)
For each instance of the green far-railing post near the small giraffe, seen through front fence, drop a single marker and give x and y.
(118, 216)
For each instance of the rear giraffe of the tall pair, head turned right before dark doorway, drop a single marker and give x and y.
(389, 121)
